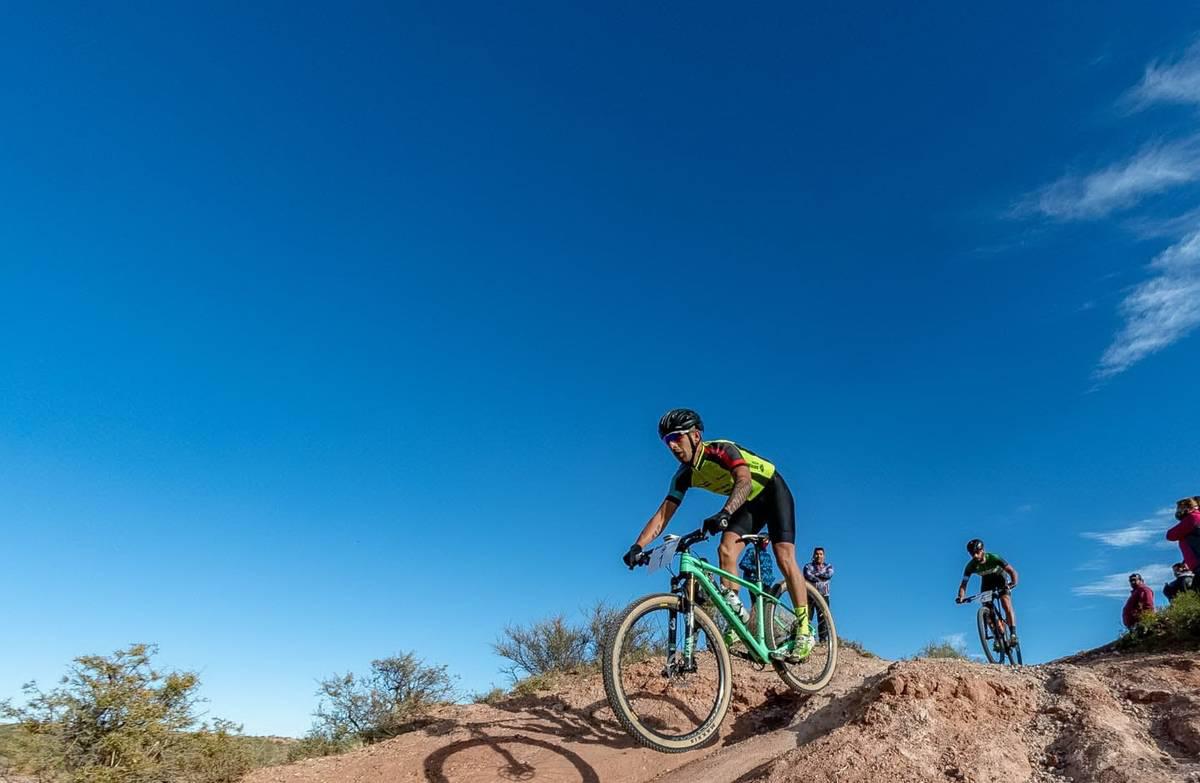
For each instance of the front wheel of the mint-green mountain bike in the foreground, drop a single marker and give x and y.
(669, 692)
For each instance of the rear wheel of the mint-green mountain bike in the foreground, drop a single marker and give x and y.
(815, 672)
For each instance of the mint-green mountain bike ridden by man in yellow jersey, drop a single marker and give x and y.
(667, 664)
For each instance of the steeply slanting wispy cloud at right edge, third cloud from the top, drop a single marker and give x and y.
(1160, 312)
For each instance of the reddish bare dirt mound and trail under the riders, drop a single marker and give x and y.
(1103, 718)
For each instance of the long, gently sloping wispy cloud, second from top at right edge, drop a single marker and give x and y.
(1153, 170)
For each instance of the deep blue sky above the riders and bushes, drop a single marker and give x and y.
(331, 333)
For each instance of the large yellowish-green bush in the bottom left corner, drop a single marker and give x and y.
(118, 720)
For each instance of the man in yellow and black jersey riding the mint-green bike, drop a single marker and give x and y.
(757, 497)
